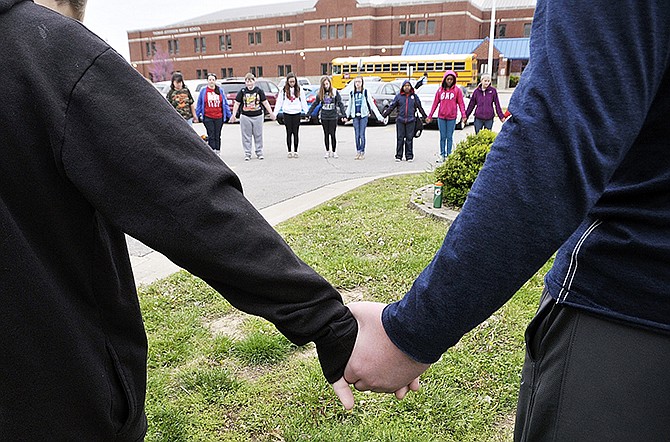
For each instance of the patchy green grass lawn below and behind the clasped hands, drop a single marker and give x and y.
(218, 375)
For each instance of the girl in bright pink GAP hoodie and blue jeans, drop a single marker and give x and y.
(449, 98)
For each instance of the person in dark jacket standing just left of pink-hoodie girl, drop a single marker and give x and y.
(407, 103)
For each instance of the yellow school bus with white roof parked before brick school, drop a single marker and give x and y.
(390, 68)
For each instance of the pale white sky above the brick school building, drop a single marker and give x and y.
(112, 19)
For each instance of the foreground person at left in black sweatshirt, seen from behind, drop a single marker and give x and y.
(73, 179)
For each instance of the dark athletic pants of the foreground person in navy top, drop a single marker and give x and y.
(589, 378)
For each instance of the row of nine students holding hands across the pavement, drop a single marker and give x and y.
(212, 109)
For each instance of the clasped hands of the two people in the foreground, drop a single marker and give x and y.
(376, 364)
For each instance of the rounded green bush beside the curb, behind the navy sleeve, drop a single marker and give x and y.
(459, 170)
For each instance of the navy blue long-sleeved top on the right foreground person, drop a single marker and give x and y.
(582, 168)
